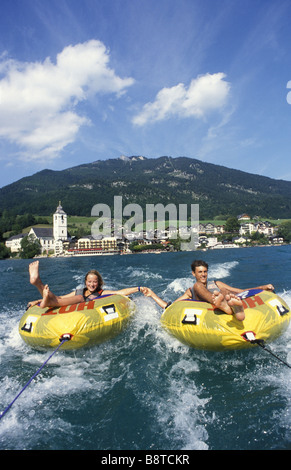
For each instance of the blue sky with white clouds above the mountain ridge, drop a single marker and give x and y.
(86, 80)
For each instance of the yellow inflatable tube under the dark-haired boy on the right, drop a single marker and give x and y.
(202, 326)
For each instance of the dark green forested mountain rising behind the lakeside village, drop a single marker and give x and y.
(217, 189)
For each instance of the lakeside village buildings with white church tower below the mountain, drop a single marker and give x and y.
(57, 242)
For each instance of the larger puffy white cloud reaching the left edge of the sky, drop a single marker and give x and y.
(38, 101)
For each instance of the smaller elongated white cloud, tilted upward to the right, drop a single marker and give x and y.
(205, 94)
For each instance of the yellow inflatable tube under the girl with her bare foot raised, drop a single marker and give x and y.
(84, 324)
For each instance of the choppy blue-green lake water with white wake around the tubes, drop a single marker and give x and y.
(144, 389)
